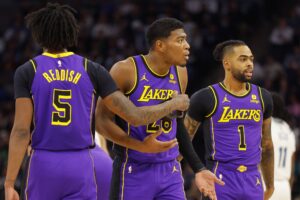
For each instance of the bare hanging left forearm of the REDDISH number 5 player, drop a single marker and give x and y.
(18, 145)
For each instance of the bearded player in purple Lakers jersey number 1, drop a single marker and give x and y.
(235, 116)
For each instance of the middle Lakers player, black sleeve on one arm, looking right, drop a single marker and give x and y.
(152, 79)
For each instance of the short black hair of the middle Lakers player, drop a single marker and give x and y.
(162, 28)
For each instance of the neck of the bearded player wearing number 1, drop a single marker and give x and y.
(234, 86)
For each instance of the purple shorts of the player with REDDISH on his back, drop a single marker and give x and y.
(61, 175)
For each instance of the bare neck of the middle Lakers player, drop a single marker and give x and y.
(157, 64)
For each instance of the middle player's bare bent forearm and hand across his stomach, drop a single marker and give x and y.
(106, 127)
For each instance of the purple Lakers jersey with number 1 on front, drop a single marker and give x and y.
(236, 126)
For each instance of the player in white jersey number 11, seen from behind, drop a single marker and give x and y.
(284, 150)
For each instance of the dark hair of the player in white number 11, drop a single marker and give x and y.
(279, 110)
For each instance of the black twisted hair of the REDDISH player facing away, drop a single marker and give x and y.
(54, 27)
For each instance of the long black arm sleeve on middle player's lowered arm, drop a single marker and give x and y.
(186, 147)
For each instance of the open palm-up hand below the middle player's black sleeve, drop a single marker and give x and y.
(205, 181)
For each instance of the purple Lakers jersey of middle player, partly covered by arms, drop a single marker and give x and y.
(151, 89)
